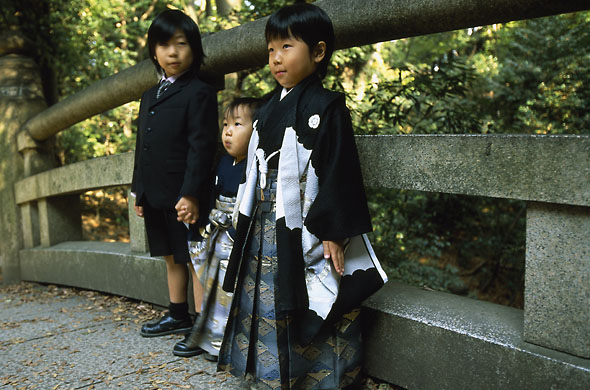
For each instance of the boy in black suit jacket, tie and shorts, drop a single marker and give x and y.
(173, 156)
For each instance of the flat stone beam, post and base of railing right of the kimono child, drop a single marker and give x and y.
(432, 340)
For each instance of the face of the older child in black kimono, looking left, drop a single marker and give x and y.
(291, 61)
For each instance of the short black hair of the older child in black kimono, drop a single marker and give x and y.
(306, 22)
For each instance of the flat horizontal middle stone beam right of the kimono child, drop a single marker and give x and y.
(539, 168)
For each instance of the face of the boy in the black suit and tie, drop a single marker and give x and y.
(174, 56)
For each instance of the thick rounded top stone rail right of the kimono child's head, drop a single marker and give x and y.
(358, 23)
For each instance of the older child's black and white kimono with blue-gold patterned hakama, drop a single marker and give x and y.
(294, 321)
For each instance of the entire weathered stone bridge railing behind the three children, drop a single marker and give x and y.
(415, 338)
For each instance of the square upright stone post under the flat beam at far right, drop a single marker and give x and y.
(557, 278)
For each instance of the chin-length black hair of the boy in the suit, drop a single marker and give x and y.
(163, 28)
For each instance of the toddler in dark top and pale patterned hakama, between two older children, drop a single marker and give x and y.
(210, 255)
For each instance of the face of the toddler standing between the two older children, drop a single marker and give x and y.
(237, 129)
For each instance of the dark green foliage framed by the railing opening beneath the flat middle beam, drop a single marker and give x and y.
(446, 241)
